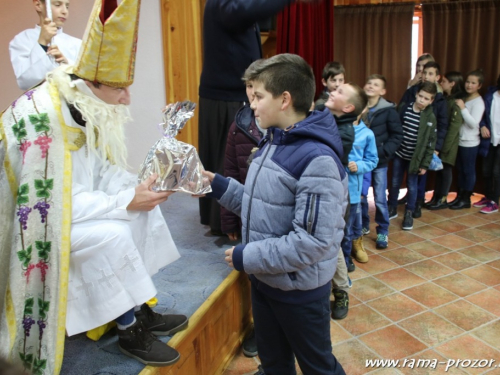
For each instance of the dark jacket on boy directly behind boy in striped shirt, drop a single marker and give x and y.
(439, 107)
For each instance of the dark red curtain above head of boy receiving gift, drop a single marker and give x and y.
(306, 29)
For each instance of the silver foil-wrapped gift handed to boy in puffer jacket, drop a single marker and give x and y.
(177, 163)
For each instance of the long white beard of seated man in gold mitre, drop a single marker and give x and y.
(105, 120)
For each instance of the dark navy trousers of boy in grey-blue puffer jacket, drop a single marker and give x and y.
(283, 330)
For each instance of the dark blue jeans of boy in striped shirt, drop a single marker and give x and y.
(399, 167)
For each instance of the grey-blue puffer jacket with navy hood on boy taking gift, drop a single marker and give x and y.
(292, 207)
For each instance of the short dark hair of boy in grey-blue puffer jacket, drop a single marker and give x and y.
(285, 72)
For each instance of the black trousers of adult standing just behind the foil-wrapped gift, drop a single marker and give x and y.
(214, 122)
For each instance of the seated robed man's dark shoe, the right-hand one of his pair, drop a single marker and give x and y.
(161, 325)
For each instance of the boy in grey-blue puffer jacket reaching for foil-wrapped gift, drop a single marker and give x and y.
(292, 207)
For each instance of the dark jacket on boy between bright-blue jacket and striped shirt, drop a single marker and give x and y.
(383, 120)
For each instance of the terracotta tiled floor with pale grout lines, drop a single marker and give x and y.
(434, 293)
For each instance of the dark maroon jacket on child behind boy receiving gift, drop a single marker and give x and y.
(243, 136)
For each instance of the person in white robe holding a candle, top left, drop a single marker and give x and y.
(35, 52)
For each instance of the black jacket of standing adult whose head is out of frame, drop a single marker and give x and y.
(231, 42)
